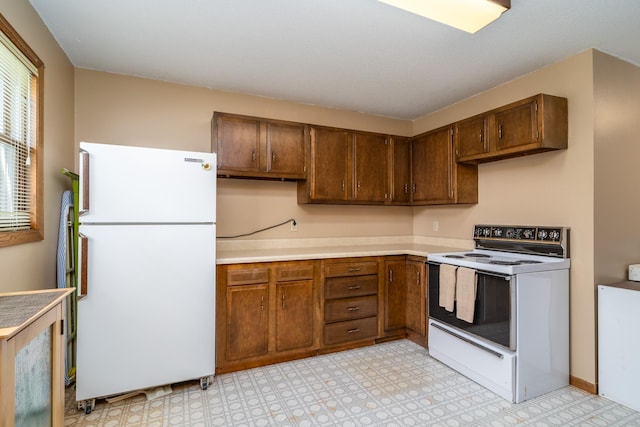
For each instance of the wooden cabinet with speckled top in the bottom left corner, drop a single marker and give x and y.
(32, 357)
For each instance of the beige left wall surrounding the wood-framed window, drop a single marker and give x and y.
(32, 265)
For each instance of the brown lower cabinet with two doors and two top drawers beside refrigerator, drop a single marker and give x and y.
(265, 313)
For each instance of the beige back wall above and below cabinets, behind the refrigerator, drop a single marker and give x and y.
(132, 111)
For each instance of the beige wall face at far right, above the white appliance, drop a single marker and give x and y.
(617, 173)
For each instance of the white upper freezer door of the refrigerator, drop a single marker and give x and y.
(121, 184)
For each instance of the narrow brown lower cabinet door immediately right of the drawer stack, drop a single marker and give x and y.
(395, 295)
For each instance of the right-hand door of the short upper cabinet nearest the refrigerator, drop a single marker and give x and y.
(285, 150)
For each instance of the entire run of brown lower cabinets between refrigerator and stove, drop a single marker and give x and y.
(277, 311)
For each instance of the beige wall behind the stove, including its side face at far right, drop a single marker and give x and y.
(586, 187)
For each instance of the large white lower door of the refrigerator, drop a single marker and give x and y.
(148, 317)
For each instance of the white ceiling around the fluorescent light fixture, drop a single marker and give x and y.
(357, 55)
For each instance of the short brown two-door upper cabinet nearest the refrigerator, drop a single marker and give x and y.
(253, 147)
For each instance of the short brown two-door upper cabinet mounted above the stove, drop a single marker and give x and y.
(532, 125)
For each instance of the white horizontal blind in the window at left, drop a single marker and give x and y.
(18, 80)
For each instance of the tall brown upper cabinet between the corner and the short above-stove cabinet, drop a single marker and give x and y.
(437, 178)
